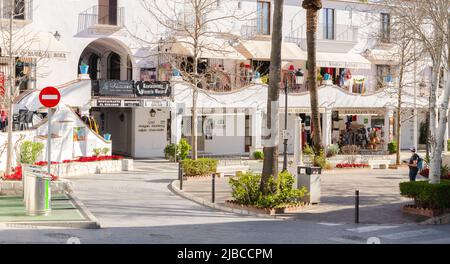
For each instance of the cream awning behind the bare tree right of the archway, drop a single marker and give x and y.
(210, 48)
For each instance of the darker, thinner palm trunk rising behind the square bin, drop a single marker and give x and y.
(311, 31)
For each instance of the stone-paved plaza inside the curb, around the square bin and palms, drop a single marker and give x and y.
(380, 200)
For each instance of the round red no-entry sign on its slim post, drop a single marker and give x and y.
(49, 97)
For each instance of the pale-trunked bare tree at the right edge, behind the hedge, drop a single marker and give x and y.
(428, 20)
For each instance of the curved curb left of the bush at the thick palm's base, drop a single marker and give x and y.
(172, 186)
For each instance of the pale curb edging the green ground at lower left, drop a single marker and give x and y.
(91, 223)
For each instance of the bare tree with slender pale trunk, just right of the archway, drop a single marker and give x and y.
(196, 24)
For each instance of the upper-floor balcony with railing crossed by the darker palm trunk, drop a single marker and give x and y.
(337, 38)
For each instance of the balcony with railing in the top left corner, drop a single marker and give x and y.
(23, 10)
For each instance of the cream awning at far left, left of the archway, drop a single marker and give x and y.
(34, 45)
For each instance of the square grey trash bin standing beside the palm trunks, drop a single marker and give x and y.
(309, 177)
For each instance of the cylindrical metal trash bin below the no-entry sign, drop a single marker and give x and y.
(37, 193)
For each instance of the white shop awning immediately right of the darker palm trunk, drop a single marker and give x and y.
(342, 60)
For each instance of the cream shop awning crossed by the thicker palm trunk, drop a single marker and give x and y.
(260, 50)
